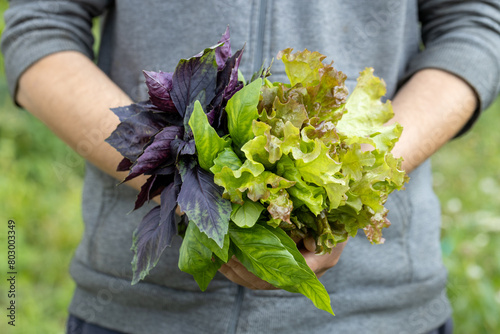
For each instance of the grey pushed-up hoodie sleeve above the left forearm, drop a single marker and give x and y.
(35, 29)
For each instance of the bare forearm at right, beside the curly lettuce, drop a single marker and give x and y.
(432, 107)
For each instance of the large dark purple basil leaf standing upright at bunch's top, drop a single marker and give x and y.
(193, 77)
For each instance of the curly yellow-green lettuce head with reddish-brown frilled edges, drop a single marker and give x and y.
(317, 158)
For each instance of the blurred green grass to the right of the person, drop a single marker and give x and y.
(467, 181)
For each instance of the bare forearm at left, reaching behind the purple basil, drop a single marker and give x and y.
(73, 97)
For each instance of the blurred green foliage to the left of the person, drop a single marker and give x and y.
(41, 184)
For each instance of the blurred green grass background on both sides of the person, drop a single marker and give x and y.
(40, 188)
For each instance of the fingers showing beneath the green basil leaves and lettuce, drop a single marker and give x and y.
(319, 264)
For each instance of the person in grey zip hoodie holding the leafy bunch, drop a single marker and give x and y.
(438, 92)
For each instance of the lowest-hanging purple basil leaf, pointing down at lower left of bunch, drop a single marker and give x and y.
(150, 239)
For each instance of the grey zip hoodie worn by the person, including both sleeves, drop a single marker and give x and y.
(397, 287)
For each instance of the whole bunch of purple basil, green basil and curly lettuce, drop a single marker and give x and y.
(257, 165)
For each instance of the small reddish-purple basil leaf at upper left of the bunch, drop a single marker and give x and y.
(159, 86)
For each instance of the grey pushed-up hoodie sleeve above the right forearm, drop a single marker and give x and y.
(463, 38)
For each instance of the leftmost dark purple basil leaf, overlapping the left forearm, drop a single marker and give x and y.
(132, 134)
